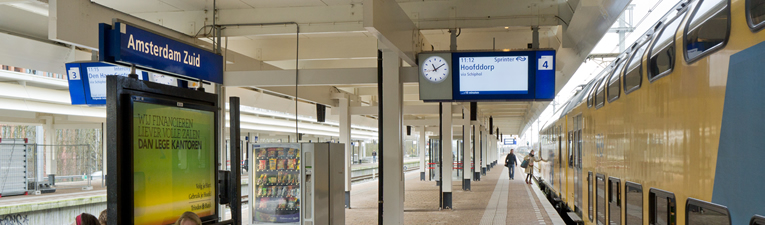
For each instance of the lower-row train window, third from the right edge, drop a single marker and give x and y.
(662, 208)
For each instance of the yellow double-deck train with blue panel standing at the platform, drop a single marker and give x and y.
(672, 131)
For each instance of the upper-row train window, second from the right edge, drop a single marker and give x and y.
(708, 29)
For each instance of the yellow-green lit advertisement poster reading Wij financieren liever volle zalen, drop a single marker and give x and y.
(173, 162)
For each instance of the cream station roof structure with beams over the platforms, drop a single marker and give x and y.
(337, 54)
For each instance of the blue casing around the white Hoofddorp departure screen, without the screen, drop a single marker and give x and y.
(541, 83)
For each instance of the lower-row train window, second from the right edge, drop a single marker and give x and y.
(701, 212)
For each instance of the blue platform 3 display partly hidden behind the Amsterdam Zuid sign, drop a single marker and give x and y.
(87, 81)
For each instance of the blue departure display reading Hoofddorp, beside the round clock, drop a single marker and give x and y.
(522, 75)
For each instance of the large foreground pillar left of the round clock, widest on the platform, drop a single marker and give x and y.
(392, 140)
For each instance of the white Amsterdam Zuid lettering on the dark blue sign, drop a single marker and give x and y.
(163, 52)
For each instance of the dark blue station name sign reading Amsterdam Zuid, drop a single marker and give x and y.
(127, 44)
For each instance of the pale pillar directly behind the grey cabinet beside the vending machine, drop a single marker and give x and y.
(345, 138)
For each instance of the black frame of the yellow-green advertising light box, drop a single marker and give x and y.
(121, 93)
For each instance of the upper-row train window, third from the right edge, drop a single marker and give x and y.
(662, 53)
